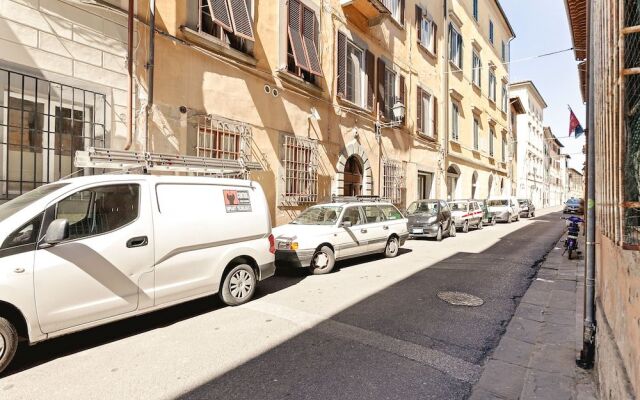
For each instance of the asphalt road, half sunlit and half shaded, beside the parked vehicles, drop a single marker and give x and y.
(373, 329)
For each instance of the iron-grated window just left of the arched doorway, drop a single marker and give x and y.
(300, 162)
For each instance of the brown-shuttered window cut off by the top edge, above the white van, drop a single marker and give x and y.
(229, 21)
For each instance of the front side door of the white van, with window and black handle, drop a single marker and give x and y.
(106, 264)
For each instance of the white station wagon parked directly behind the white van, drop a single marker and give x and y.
(324, 233)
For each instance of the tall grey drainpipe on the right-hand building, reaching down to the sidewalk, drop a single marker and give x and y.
(589, 329)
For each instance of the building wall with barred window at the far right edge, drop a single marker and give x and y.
(609, 75)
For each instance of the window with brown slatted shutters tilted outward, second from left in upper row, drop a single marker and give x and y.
(302, 47)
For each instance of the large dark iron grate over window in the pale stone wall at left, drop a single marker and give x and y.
(42, 125)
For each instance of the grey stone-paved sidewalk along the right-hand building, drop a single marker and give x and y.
(536, 356)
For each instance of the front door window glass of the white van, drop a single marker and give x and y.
(99, 209)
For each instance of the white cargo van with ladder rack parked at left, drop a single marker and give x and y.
(87, 251)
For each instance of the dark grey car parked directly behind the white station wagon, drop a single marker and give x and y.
(430, 218)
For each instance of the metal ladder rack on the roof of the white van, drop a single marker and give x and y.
(126, 160)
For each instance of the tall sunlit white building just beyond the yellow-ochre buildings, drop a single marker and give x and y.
(530, 145)
